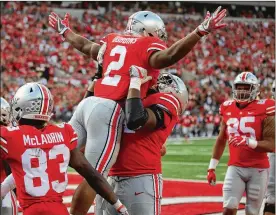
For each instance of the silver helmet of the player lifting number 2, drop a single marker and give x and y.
(168, 83)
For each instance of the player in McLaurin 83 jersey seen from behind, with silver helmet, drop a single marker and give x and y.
(39, 154)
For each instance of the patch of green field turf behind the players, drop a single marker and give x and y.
(191, 160)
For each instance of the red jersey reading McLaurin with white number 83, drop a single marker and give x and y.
(39, 160)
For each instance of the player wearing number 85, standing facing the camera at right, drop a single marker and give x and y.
(248, 124)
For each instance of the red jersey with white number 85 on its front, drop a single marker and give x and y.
(248, 122)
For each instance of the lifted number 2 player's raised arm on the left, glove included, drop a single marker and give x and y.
(80, 43)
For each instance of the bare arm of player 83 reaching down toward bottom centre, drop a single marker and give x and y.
(95, 179)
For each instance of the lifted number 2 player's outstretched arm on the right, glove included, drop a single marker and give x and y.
(181, 48)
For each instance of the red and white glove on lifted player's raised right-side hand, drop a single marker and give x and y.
(211, 22)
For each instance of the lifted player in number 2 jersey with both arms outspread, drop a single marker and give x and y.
(143, 44)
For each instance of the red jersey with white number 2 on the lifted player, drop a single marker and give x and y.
(122, 52)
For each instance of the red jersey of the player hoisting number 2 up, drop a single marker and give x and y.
(140, 150)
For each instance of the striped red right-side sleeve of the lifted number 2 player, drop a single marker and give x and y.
(150, 45)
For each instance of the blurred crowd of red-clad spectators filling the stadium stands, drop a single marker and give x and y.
(32, 51)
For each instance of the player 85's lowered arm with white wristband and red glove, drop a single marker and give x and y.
(218, 150)
